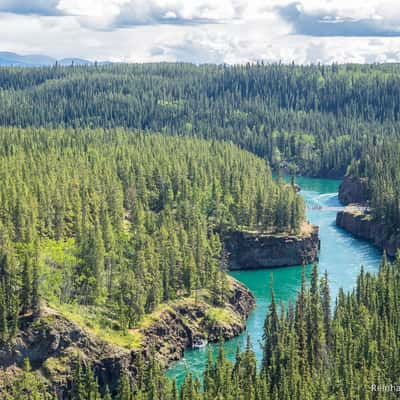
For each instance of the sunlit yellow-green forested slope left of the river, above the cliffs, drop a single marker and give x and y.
(120, 221)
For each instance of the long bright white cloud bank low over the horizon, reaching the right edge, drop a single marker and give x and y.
(199, 47)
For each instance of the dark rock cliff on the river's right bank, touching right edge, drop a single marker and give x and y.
(362, 225)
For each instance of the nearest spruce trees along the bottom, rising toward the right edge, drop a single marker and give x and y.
(309, 352)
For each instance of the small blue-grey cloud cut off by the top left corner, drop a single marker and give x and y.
(31, 7)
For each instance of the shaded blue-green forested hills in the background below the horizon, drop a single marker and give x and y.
(316, 117)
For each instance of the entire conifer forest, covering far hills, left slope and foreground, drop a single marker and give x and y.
(118, 184)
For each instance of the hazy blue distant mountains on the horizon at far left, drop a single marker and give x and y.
(38, 60)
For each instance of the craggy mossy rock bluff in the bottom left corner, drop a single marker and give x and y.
(54, 343)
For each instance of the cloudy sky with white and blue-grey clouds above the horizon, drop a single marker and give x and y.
(204, 31)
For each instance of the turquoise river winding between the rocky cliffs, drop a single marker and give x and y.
(341, 255)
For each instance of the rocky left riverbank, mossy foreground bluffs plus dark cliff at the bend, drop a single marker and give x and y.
(66, 332)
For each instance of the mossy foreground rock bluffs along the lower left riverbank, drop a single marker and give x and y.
(53, 343)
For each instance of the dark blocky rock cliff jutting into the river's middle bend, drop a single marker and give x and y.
(252, 250)
